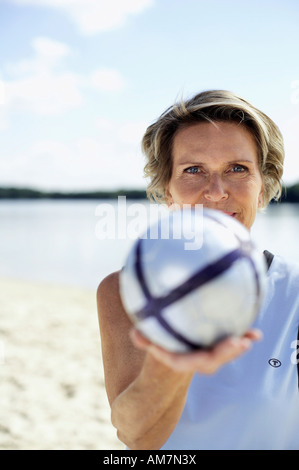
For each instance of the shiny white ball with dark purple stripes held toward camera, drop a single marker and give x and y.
(192, 279)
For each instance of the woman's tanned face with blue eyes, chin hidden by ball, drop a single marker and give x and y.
(217, 166)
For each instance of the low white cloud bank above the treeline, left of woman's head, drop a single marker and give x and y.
(110, 160)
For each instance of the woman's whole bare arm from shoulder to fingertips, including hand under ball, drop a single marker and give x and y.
(146, 385)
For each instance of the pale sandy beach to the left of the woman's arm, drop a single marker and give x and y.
(52, 391)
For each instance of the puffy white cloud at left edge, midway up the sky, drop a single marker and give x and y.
(35, 84)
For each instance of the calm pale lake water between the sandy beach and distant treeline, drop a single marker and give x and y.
(56, 241)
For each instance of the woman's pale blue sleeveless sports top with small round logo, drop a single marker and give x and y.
(253, 402)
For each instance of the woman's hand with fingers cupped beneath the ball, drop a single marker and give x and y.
(204, 361)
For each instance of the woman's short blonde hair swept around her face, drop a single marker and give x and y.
(212, 106)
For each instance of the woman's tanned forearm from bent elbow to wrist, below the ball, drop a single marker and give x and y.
(147, 411)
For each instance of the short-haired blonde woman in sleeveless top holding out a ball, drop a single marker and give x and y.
(218, 150)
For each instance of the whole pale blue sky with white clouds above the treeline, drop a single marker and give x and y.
(80, 80)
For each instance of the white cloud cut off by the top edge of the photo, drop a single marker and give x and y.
(94, 16)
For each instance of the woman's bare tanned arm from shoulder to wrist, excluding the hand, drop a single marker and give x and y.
(145, 395)
